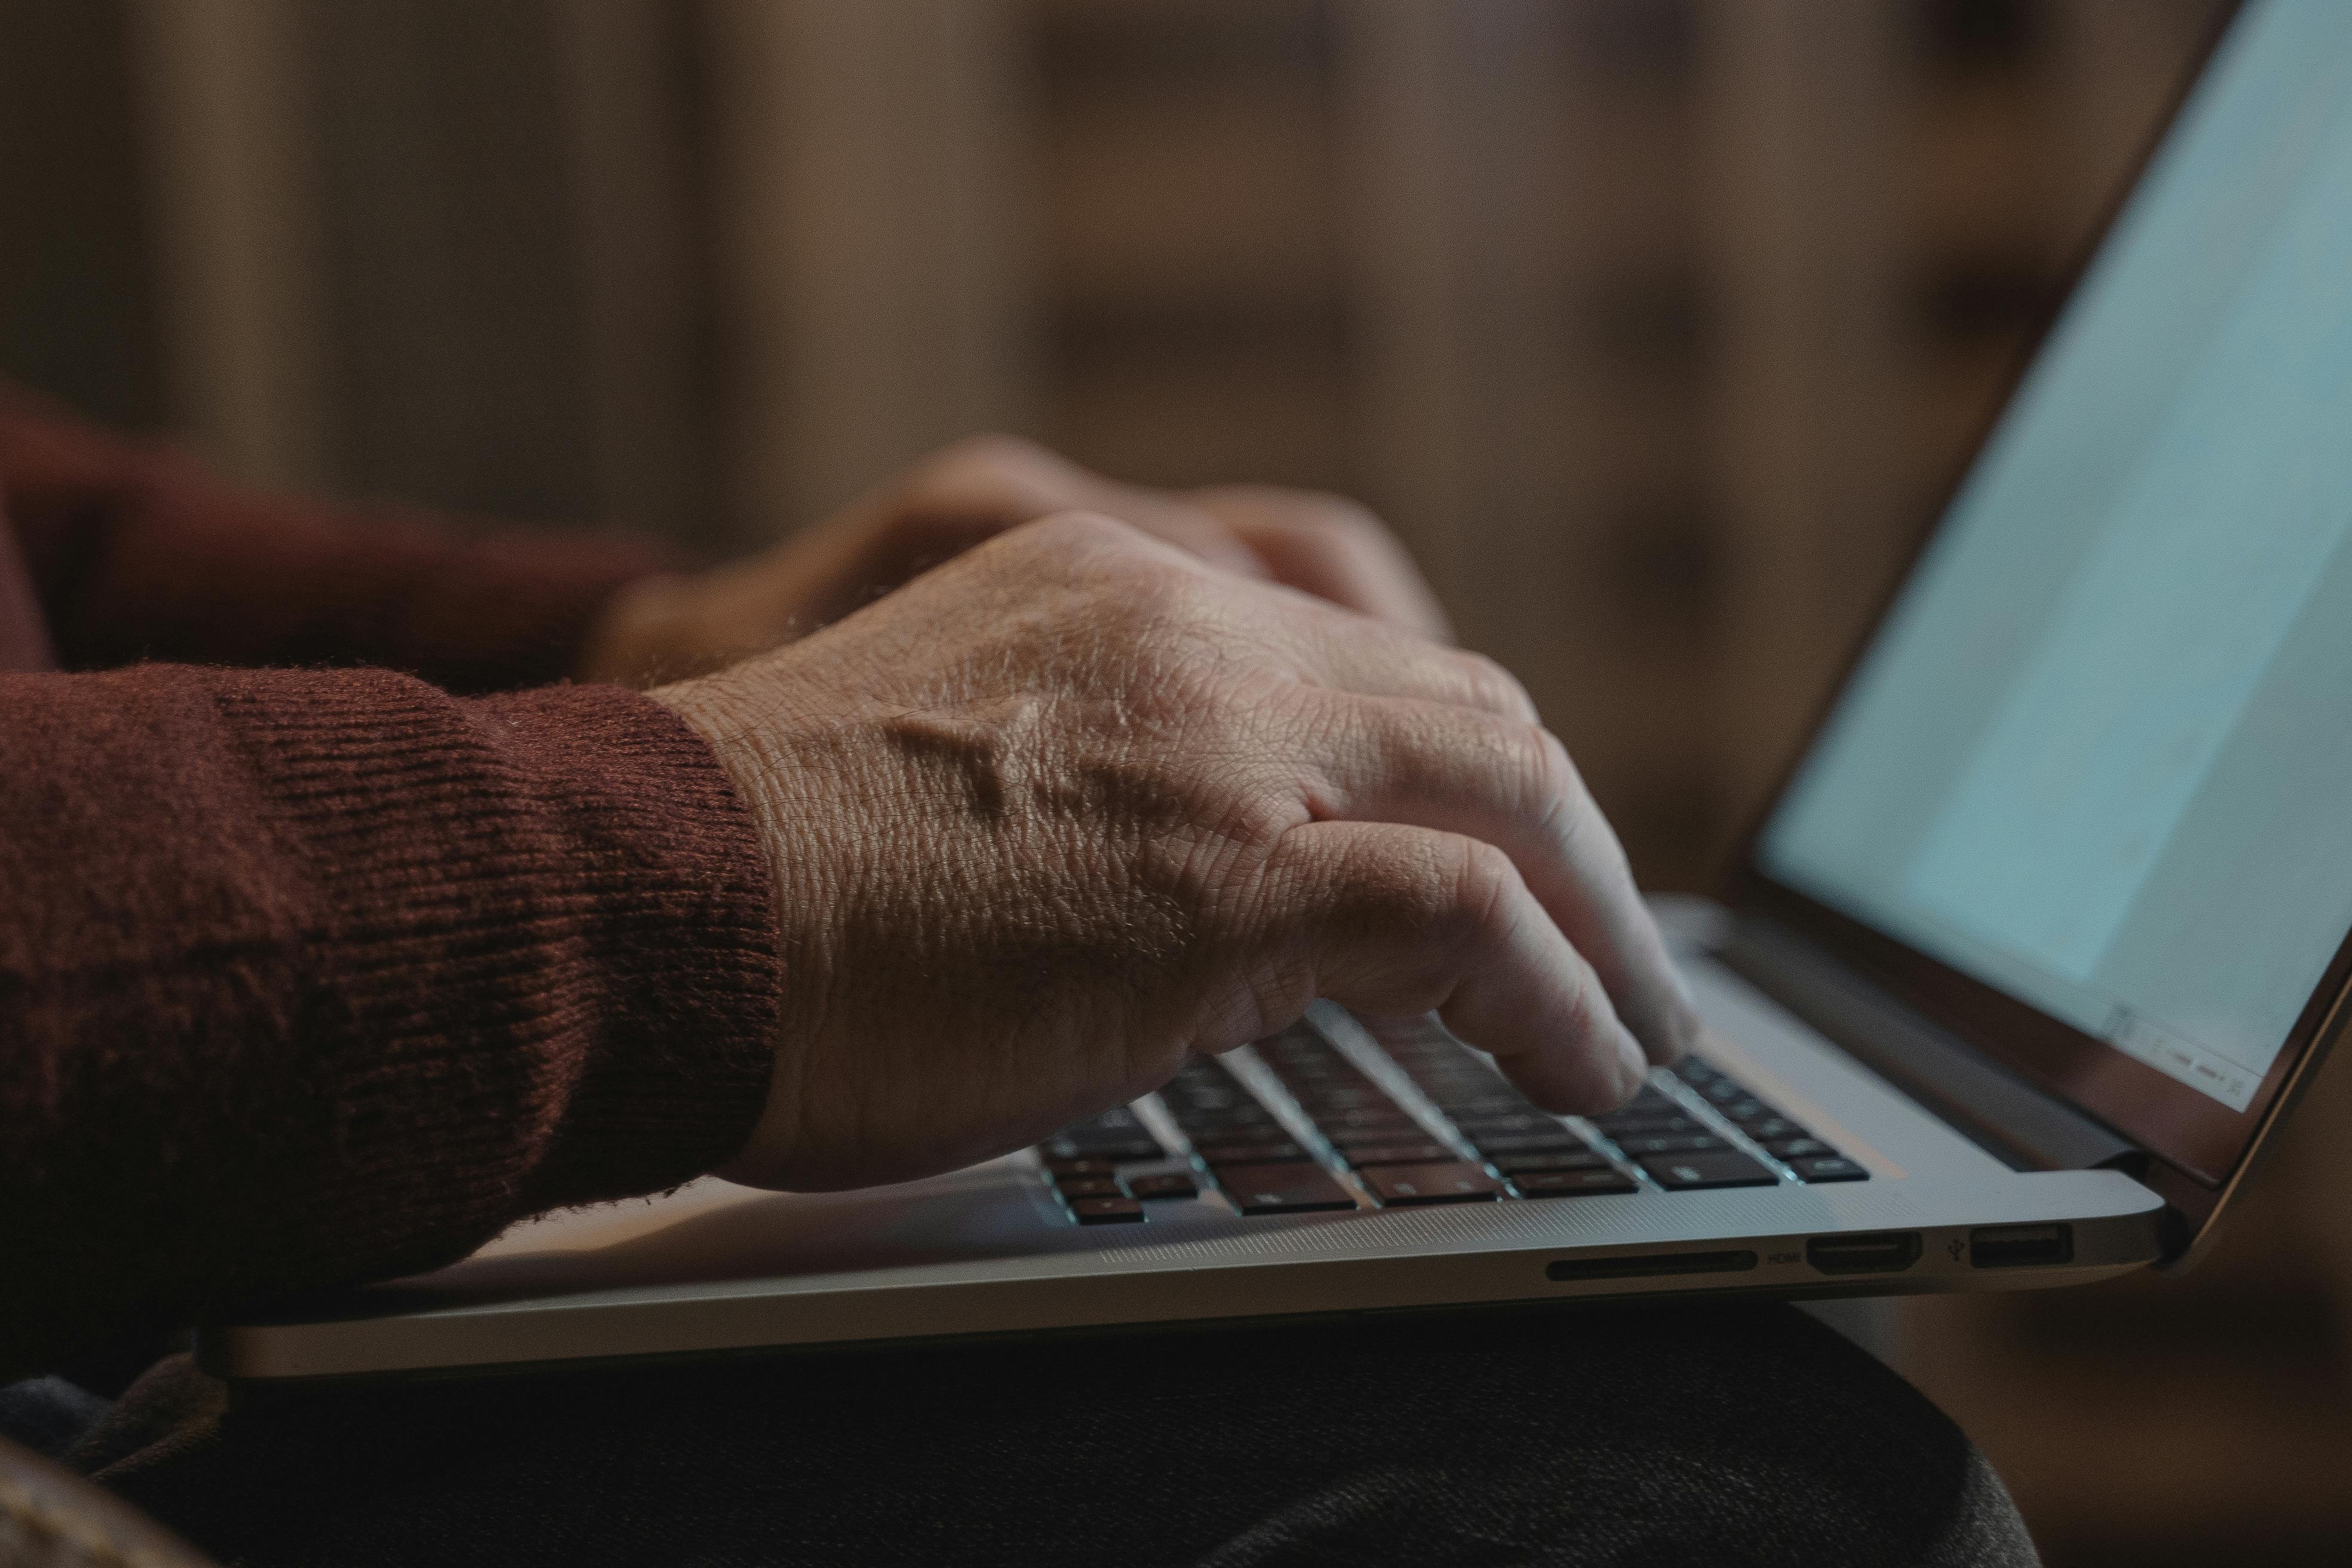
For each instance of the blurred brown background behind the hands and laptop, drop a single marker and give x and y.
(1655, 326)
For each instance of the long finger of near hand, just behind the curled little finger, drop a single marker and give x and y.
(1511, 786)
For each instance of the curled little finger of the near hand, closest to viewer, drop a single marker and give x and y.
(1405, 920)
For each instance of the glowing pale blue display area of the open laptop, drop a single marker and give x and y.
(2099, 756)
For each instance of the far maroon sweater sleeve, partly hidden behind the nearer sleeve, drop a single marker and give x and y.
(138, 554)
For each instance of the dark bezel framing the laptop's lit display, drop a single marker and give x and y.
(2186, 1130)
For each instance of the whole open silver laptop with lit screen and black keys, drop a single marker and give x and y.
(2026, 963)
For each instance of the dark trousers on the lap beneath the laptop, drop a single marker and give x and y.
(1648, 1435)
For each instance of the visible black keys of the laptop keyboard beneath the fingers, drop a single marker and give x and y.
(1356, 1146)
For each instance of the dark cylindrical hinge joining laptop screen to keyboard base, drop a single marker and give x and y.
(1984, 1101)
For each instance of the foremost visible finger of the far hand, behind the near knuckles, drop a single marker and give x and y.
(1332, 549)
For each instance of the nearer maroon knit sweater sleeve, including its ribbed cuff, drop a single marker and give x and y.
(328, 977)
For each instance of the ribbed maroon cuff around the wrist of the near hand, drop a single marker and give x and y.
(547, 967)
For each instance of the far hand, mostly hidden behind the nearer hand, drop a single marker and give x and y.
(681, 626)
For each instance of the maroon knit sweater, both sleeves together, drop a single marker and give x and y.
(314, 970)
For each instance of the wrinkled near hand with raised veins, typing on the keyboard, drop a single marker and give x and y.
(1076, 805)
